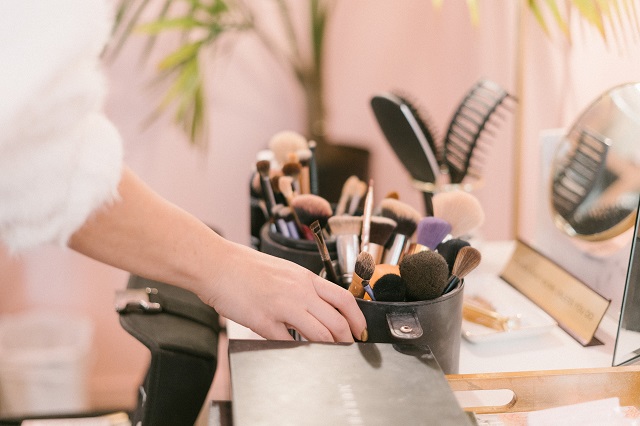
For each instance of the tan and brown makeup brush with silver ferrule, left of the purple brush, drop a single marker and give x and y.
(406, 218)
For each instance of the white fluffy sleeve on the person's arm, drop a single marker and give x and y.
(60, 158)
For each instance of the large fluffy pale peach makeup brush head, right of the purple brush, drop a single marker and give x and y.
(461, 209)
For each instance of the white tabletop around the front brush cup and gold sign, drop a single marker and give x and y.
(551, 350)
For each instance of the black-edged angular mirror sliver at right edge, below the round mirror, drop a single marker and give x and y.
(627, 347)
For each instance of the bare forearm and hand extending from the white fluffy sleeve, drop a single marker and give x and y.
(146, 235)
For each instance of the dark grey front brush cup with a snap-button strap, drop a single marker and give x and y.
(435, 323)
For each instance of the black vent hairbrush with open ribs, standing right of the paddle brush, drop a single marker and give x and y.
(468, 125)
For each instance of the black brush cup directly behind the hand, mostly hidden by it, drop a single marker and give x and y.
(303, 252)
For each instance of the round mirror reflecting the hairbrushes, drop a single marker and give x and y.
(595, 178)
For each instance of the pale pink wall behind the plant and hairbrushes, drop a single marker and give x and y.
(434, 56)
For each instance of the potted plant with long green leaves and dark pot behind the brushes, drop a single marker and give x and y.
(203, 25)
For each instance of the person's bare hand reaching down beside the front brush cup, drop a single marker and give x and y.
(270, 295)
